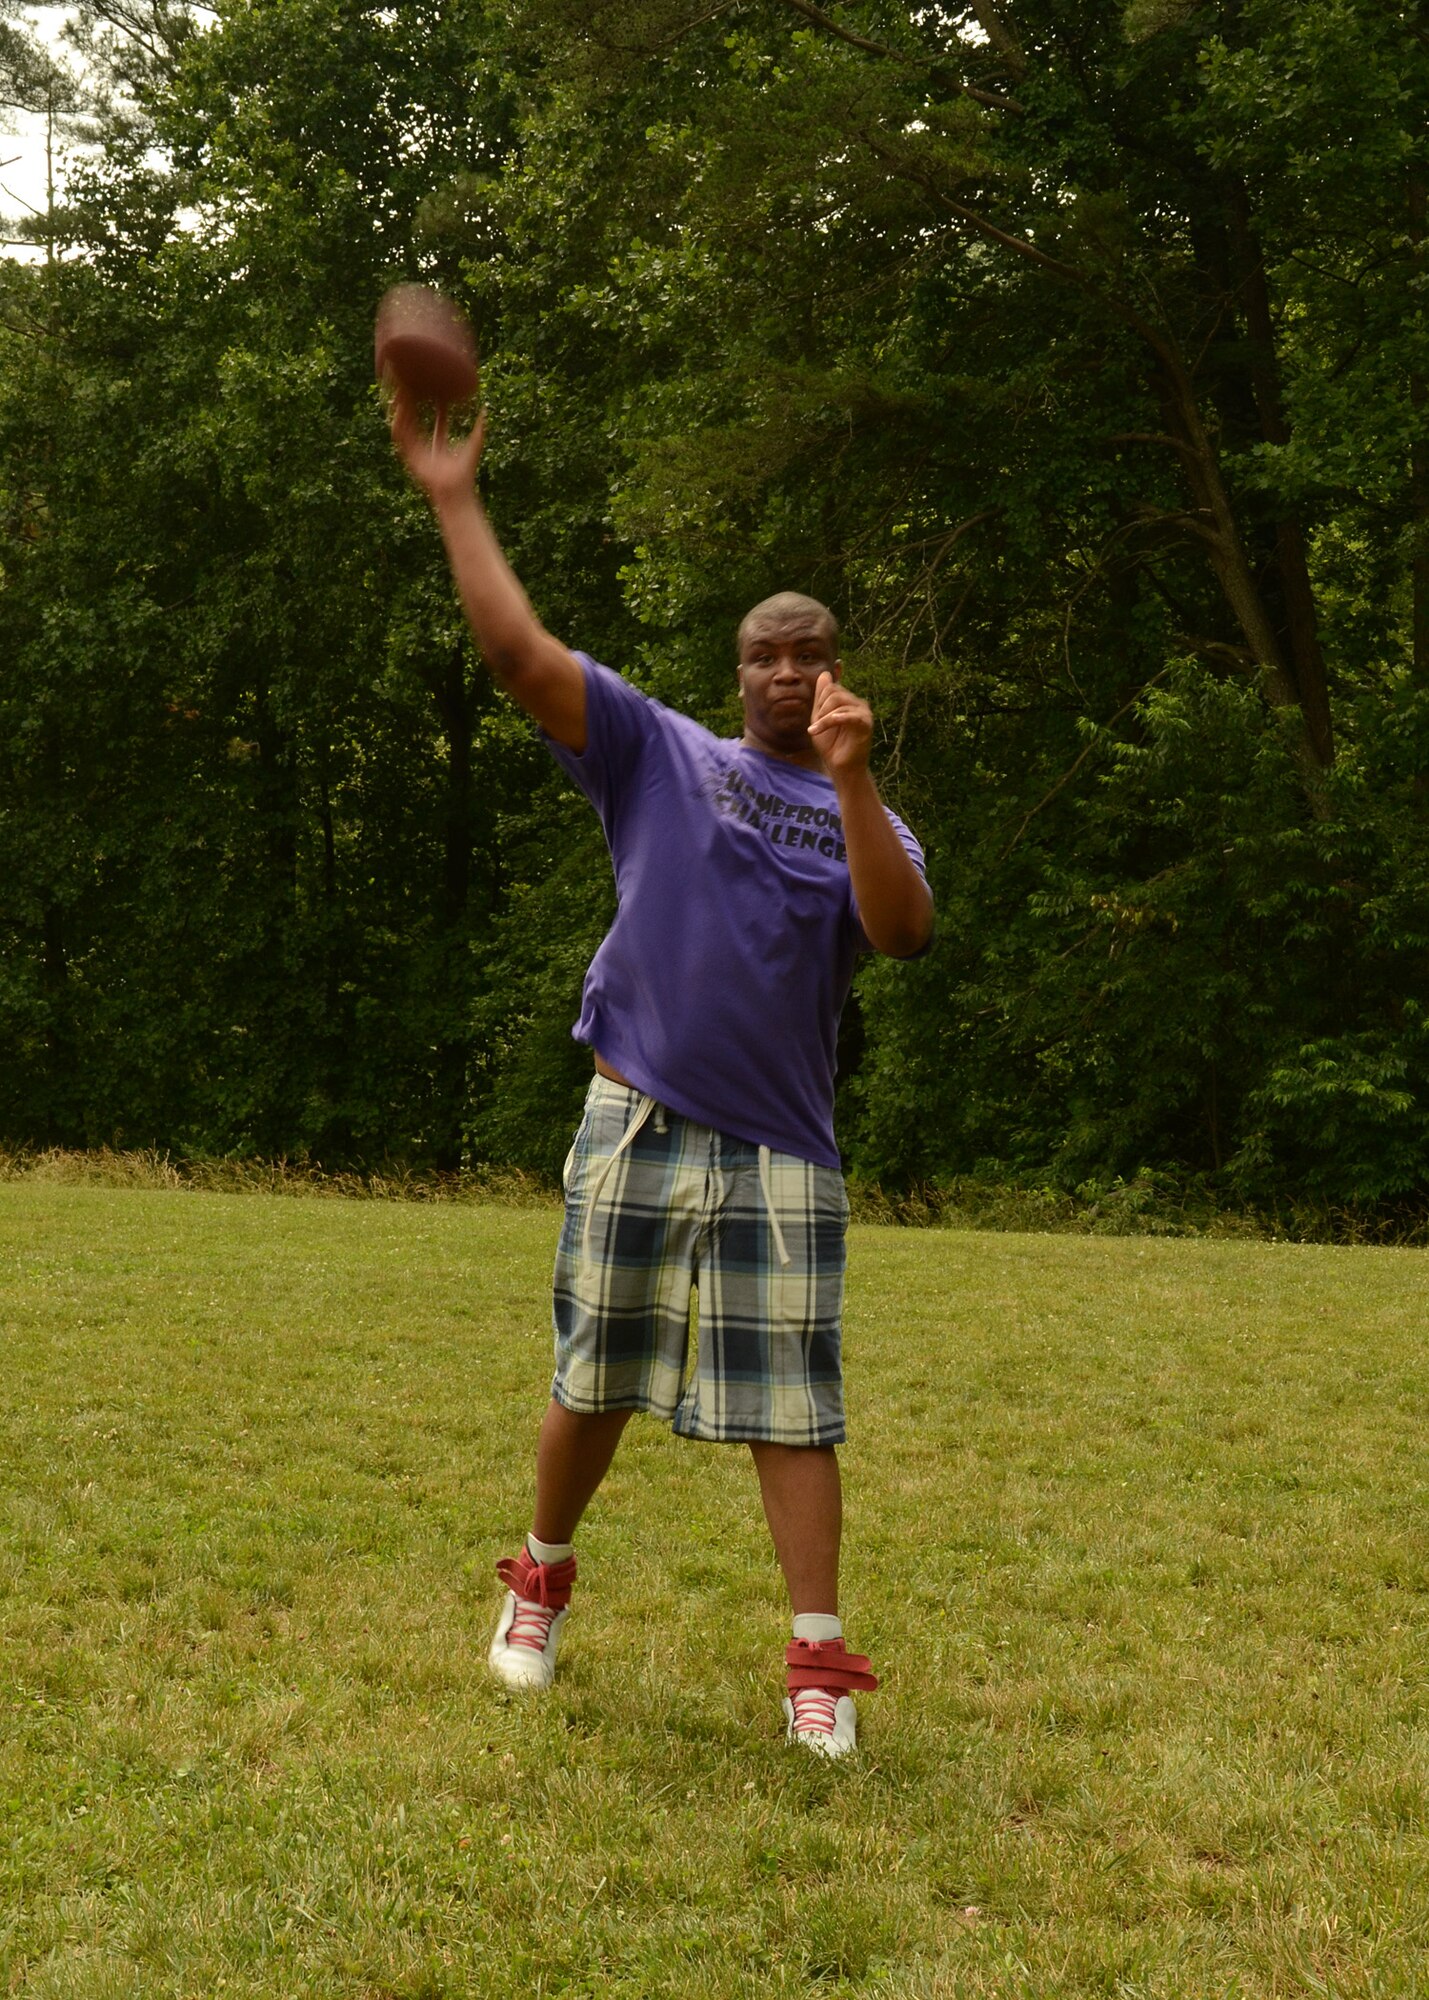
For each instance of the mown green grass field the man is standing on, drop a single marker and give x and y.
(1136, 1539)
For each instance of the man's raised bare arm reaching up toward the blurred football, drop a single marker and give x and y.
(533, 667)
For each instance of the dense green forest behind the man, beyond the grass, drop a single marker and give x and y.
(1076, 351)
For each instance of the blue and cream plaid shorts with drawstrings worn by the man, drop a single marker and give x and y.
(681, 1209)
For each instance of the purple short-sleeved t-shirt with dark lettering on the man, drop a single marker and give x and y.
(724, 975)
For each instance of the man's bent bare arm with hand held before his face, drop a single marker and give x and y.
(894, 899)
